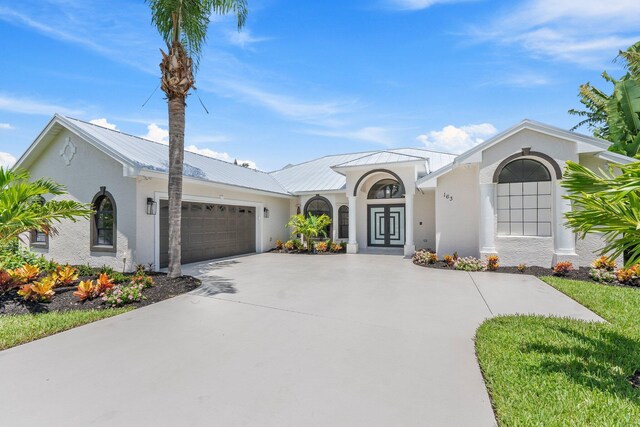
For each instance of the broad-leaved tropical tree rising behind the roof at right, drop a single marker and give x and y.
(615, 117)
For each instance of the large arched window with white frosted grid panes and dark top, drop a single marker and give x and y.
(524, 199)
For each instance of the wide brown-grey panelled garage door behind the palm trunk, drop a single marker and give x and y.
(210, 231)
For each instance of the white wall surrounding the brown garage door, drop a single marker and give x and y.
(268, 229)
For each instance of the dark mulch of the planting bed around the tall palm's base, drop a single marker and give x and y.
(164, 288)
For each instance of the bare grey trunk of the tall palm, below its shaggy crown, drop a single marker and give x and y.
(176, 159)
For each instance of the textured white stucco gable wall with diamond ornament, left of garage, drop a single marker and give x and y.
(87, 171)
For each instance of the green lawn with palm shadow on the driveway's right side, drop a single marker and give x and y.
(561, 372)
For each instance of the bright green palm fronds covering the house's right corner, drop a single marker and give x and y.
(606, 202)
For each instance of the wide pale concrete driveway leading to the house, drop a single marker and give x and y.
(280, 340)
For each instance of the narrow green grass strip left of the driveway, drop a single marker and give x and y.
(22, 328)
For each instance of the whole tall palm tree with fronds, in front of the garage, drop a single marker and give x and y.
(183, 25)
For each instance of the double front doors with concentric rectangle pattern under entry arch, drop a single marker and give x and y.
(386, 225)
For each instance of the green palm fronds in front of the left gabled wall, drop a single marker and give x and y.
(22, 208)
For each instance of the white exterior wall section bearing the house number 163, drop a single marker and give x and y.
(457, 219)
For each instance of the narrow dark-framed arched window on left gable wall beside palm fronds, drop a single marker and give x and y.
(103, 224)
